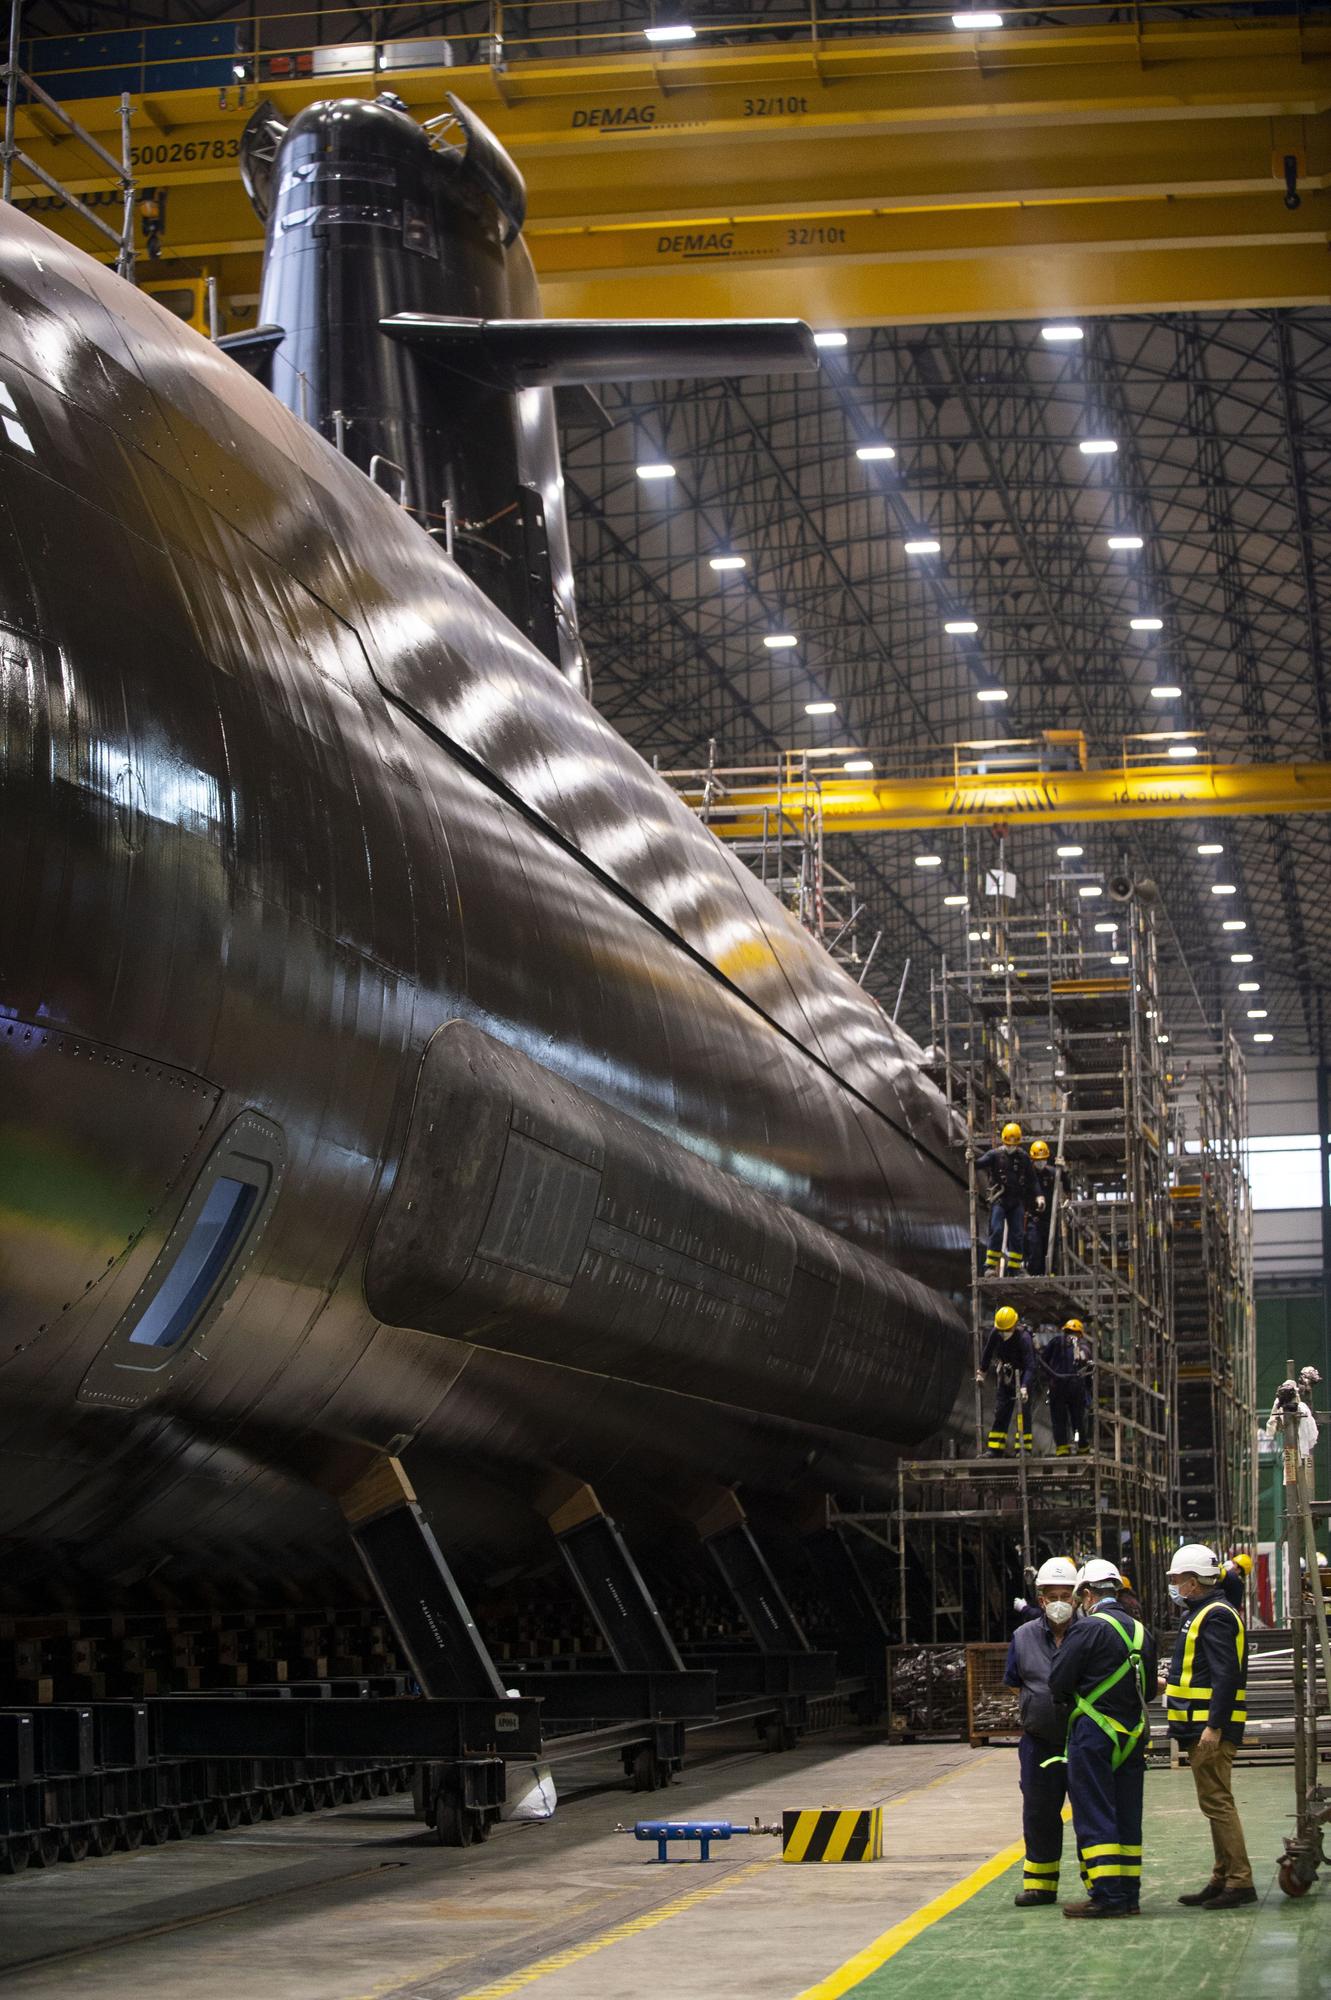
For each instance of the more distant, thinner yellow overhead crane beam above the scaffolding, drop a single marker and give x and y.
(1018, 781)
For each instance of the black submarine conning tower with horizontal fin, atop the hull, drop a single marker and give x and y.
(401, 317)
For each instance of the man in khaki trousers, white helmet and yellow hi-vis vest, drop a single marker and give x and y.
(1206, 1703)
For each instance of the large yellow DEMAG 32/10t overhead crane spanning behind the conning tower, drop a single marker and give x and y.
(862, 179)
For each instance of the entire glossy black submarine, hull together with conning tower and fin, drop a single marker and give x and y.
(389, 1061)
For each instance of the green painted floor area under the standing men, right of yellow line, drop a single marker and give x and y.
(1270, 1949)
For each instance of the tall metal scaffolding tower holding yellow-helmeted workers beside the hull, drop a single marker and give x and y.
(1052, 1015)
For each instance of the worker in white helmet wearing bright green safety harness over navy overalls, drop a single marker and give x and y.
(1104, 1671)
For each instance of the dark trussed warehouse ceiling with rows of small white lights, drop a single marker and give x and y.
(1222, 469)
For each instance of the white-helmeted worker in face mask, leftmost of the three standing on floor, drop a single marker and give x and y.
(1044, 1731)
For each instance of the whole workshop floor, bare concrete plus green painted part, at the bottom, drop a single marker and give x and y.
(363, 1905)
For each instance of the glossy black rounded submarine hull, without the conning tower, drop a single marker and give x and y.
(283, 801)
